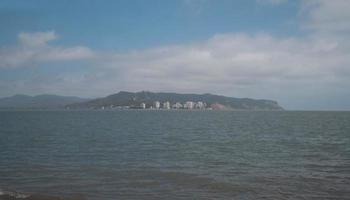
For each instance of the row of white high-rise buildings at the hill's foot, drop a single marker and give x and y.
(167, 106)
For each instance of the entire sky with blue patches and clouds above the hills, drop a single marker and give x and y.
(296, 52)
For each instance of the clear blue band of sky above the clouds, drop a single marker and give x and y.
(140, 24)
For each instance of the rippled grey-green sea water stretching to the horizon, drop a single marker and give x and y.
(106, 155)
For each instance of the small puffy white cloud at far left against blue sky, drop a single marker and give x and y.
(34, 48)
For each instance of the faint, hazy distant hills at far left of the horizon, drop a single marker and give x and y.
(44, 101)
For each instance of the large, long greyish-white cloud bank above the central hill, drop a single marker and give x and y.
(230, 61)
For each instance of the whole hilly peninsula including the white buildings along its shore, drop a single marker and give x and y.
(163, 100)
